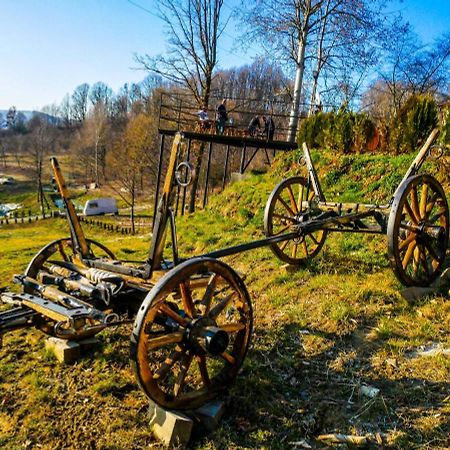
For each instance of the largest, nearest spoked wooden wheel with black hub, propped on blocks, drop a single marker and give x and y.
(191, 334)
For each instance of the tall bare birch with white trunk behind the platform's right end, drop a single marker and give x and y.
(296, 30)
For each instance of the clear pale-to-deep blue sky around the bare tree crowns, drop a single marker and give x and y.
(48, 47)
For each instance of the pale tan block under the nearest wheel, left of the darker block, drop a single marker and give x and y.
(172, 428)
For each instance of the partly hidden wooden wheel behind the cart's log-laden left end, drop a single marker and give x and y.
(62, 250)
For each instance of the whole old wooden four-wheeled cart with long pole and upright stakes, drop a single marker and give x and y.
(193, 317)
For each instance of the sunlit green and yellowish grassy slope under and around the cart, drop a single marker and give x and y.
(321, 332)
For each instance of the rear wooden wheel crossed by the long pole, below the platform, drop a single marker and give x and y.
(284, 209)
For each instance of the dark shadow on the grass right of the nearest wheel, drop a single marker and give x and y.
(283, 396)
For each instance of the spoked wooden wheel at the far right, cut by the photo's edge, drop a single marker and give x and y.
(418, 230)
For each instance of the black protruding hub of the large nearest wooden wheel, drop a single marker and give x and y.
(204, 336)
